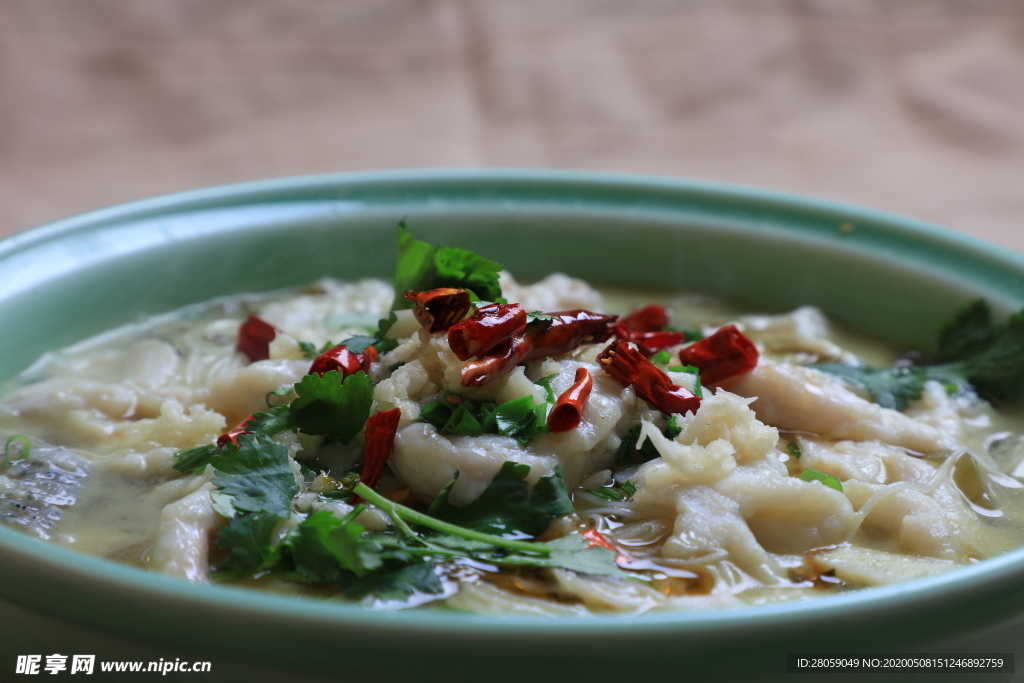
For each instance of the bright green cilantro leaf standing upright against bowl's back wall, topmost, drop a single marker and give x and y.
(424, 267)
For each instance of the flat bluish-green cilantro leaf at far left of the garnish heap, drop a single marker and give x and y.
(257, 475)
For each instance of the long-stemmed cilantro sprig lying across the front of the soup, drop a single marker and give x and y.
(402, 562)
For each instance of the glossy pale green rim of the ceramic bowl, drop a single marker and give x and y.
(108, 578)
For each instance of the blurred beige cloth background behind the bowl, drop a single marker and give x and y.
(911, 106)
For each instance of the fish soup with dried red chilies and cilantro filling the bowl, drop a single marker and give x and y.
(637, 464)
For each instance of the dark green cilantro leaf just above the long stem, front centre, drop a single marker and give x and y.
(507, 508)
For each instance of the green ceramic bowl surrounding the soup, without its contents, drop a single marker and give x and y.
(886, 275)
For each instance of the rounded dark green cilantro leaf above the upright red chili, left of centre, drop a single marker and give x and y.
(333, 405)
